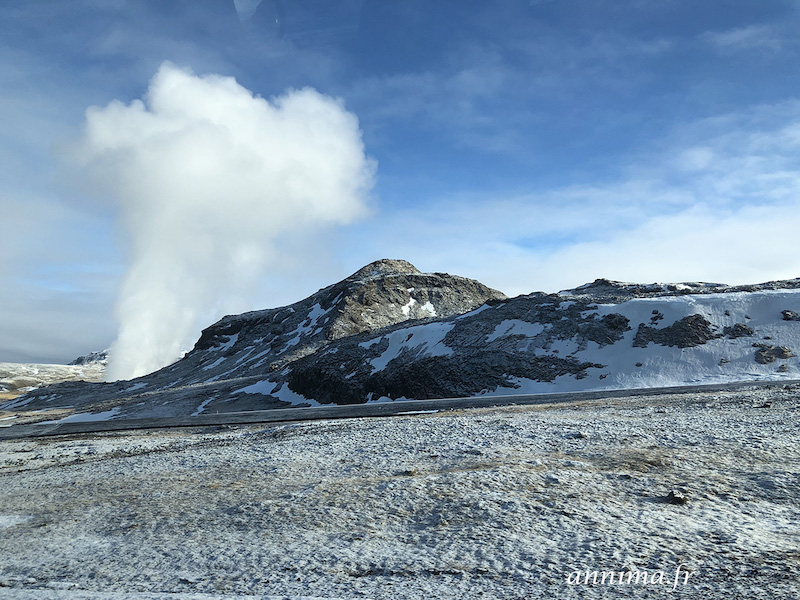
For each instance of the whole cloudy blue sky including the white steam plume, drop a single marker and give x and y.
(533, 145)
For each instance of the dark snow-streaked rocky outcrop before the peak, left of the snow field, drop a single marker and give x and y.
(463, 356)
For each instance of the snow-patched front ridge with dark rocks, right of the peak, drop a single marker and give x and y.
(542, 343)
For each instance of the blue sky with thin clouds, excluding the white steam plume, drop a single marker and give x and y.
(533, 145)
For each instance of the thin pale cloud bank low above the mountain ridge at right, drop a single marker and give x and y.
(719, 200)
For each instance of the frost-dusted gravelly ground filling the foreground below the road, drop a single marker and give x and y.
(490, 503)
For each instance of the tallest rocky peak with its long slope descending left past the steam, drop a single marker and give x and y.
(254, 345)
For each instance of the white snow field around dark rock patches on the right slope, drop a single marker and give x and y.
(717, 361)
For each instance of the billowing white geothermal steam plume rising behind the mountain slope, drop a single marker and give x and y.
(207, 176)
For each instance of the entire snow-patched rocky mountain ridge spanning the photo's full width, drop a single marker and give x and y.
(389, 331)
